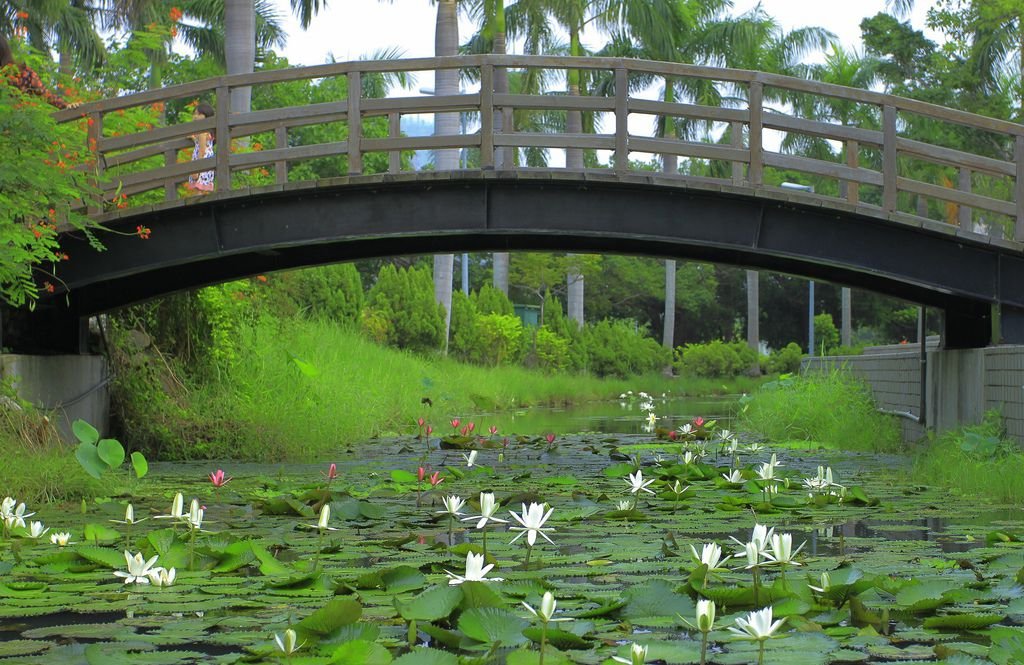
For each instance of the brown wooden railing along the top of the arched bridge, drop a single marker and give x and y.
(750, 132)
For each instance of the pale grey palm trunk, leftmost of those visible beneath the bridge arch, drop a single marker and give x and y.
(446, 82)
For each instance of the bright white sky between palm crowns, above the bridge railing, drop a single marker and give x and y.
(350, 29)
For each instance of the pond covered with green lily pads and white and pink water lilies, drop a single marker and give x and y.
(885, 571)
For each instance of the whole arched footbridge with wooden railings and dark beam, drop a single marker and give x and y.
(937, 224)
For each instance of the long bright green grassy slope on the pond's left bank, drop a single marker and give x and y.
(307, 388)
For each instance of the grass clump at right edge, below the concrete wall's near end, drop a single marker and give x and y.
(975, 462)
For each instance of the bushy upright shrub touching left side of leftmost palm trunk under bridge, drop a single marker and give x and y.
(402, 312)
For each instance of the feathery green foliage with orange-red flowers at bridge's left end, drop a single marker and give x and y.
(38, 184)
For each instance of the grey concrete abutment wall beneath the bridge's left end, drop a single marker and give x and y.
(70, 387)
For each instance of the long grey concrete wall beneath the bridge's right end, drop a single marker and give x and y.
(962, 385)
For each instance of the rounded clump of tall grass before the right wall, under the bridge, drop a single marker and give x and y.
(831, 407)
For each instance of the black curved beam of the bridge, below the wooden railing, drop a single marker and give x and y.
(241, 233)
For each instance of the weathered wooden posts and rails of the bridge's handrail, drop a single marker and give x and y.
(749, 158)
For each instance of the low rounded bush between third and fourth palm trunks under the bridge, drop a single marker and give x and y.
(620, 349)
